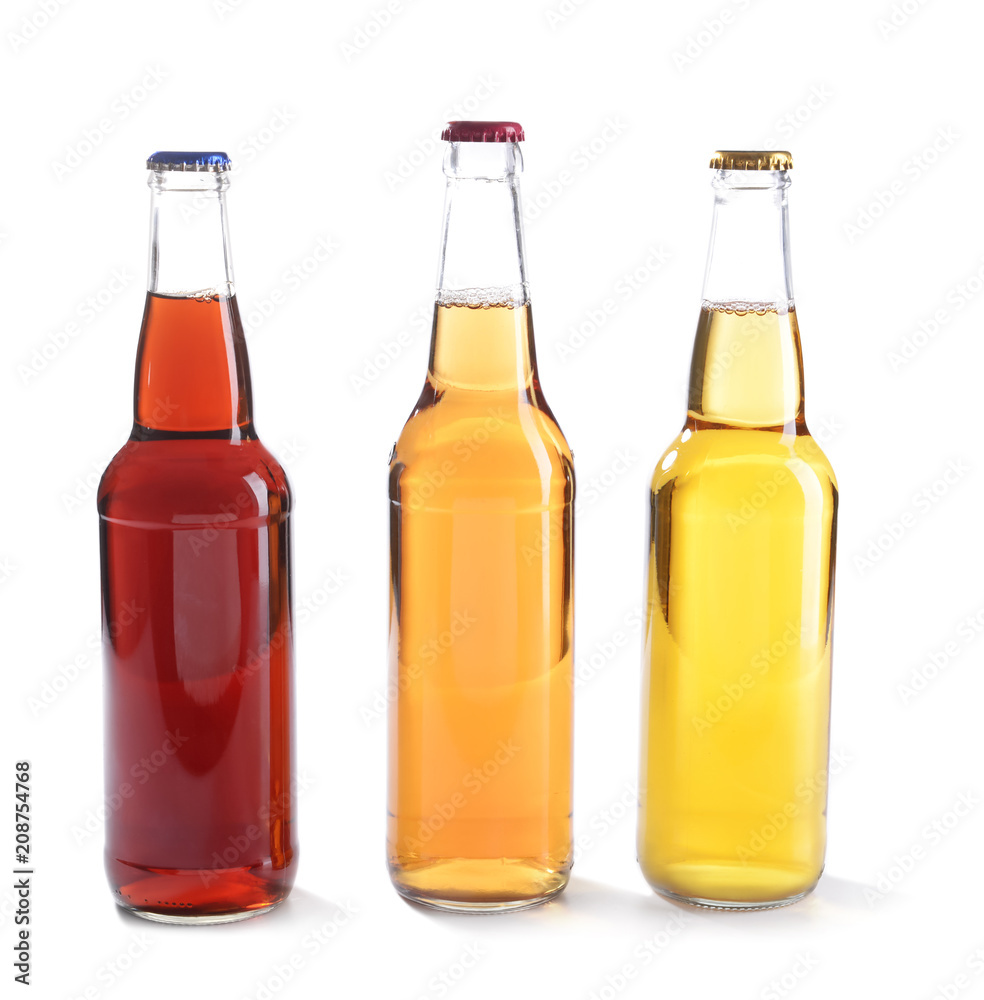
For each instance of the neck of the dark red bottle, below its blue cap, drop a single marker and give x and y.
(192, 373)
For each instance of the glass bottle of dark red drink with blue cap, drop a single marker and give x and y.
(196, 594)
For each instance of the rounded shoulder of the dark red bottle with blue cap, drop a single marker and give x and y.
(176, 481)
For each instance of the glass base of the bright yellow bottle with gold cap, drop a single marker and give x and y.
(733, 887)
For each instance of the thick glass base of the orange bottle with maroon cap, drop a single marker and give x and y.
(478, 885)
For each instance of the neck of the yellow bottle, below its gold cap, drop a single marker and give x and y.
(747, 366)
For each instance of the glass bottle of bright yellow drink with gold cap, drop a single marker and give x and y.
(739, 612)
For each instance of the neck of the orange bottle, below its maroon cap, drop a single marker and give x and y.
(483, 334)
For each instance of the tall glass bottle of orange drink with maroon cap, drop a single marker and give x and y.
(481, 508)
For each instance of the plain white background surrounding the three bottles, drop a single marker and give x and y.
(856, 99)
